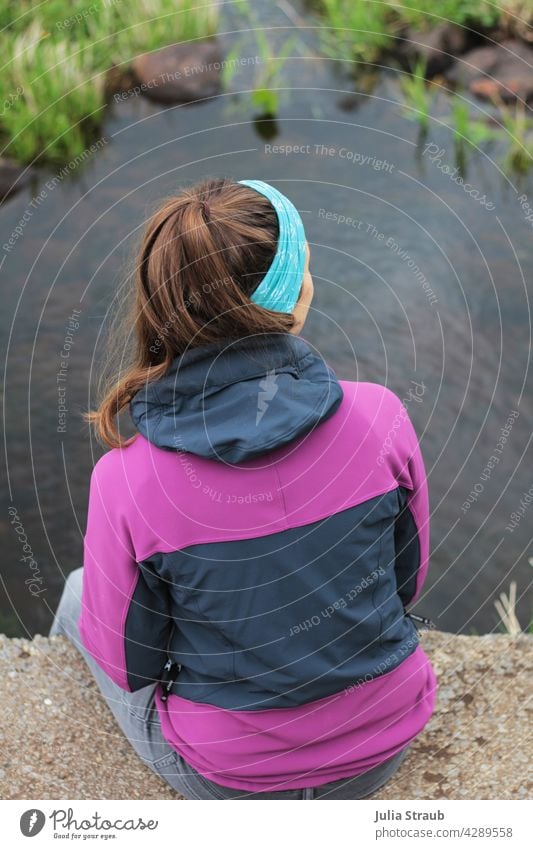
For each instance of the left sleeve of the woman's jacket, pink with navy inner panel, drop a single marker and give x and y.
(124, 623)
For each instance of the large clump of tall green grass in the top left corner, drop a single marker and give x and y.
(55, 57)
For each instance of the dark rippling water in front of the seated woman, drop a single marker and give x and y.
(445, 305)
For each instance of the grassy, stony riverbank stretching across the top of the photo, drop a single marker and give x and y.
(93, 58)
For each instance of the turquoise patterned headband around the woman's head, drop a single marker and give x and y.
(280, 287)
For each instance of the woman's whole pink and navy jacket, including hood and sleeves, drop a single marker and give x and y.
(264, 533)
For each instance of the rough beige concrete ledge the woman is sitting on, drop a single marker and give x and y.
(59, 740)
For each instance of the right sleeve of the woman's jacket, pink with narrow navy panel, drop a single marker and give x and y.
(411, 534)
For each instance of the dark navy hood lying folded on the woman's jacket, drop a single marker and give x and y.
(236, 400)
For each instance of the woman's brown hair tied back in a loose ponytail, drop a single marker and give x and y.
(203, 254)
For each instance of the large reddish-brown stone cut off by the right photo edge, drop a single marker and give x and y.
(496, 71)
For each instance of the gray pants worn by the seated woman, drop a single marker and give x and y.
(138, 718)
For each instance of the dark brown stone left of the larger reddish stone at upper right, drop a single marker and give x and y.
(438, 46)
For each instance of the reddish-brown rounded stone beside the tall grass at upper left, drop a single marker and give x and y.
(180, 73)
